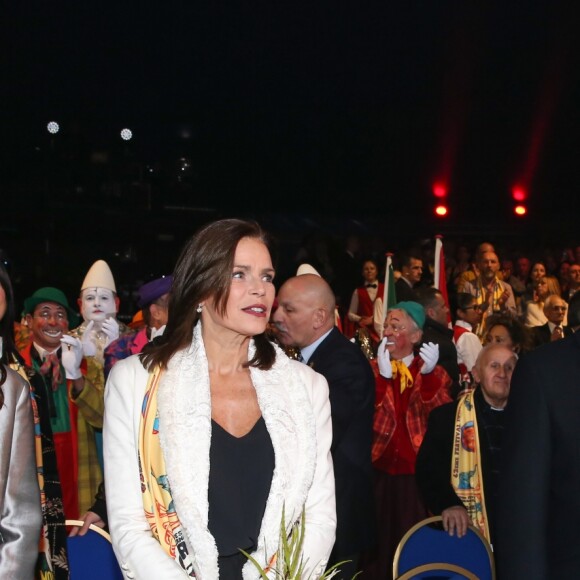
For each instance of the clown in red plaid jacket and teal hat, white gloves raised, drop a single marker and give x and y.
(408, 386)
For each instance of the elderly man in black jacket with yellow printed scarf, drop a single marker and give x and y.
(458, 462)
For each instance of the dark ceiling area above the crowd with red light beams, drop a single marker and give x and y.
(330, 115)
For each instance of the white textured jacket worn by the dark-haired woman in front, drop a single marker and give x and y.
(296, 409)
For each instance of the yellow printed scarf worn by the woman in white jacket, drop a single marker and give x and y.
(157, 500)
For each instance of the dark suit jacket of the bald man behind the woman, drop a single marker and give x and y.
(352, 397)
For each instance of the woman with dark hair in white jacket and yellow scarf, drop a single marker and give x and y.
(212, 432)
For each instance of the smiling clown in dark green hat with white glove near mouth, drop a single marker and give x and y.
(67, 397)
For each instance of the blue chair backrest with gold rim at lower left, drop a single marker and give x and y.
(91, 556)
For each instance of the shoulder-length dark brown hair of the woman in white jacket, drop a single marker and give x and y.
(204, 270)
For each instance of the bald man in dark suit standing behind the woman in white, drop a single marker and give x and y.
(304, 318)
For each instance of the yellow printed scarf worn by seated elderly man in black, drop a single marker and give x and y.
(466, 464)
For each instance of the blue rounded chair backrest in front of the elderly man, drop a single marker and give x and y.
(427, 543)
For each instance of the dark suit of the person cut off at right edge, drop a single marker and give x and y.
(538, 511)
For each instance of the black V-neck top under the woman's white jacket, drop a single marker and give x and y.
(240, 475)
